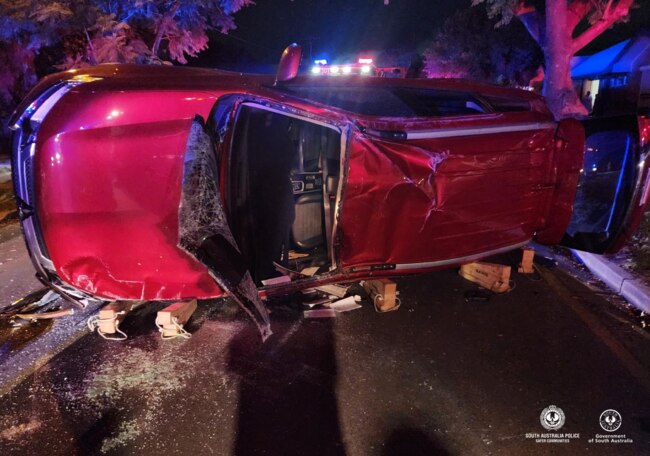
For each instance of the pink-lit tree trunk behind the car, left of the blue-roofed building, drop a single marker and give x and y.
(558, 87)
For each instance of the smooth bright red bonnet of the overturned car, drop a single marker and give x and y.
(108, 180)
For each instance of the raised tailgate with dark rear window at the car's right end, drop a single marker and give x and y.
(614, 184)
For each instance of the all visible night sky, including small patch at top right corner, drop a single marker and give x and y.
(344, 29)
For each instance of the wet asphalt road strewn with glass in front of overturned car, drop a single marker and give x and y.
(440, 376)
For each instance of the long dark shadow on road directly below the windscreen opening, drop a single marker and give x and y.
(287, 404)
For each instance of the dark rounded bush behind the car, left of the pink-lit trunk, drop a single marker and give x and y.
(469, 46)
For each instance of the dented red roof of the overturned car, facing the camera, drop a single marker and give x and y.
(435, 199)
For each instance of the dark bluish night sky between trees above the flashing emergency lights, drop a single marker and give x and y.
(344, 26)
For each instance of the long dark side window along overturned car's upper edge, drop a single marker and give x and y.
(393, 101)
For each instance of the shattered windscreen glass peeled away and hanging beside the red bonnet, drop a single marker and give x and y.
(204, 232)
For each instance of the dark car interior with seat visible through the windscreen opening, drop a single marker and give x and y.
(282, 185)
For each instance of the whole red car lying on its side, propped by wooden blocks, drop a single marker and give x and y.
(168, 183)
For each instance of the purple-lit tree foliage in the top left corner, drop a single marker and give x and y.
(88, 32)
